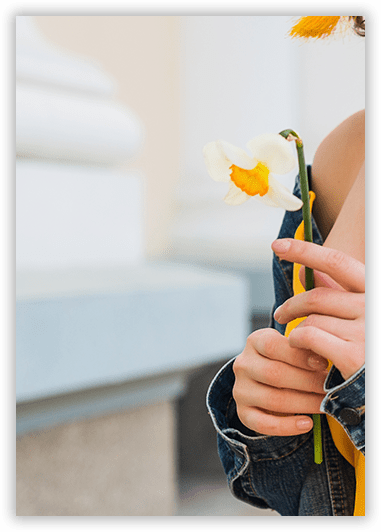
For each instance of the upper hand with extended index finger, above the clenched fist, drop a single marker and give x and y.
(335, 309)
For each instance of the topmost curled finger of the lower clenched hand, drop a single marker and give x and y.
(271, 344)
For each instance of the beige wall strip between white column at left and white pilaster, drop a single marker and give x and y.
(142, 54)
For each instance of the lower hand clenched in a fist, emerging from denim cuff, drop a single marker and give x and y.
(272, 377)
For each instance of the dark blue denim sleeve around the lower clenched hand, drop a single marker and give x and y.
(266, 471)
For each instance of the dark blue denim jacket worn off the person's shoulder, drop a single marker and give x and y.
(279, 472)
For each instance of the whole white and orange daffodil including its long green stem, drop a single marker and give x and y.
(251, 175)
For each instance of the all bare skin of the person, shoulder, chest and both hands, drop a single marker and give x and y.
(277, 377)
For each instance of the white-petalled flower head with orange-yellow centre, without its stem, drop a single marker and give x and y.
(252, 175)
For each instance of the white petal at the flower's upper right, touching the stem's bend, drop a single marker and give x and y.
(274, 151)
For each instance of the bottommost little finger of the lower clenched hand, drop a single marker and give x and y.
(271, 425)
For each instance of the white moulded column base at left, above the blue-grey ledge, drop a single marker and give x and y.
(75, 206)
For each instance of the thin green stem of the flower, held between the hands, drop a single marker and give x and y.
(289, 134)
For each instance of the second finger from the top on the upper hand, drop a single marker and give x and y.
(337, 303)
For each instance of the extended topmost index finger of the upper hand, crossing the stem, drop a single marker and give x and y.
(347, 271)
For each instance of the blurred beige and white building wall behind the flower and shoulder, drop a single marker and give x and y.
(195, 79)
